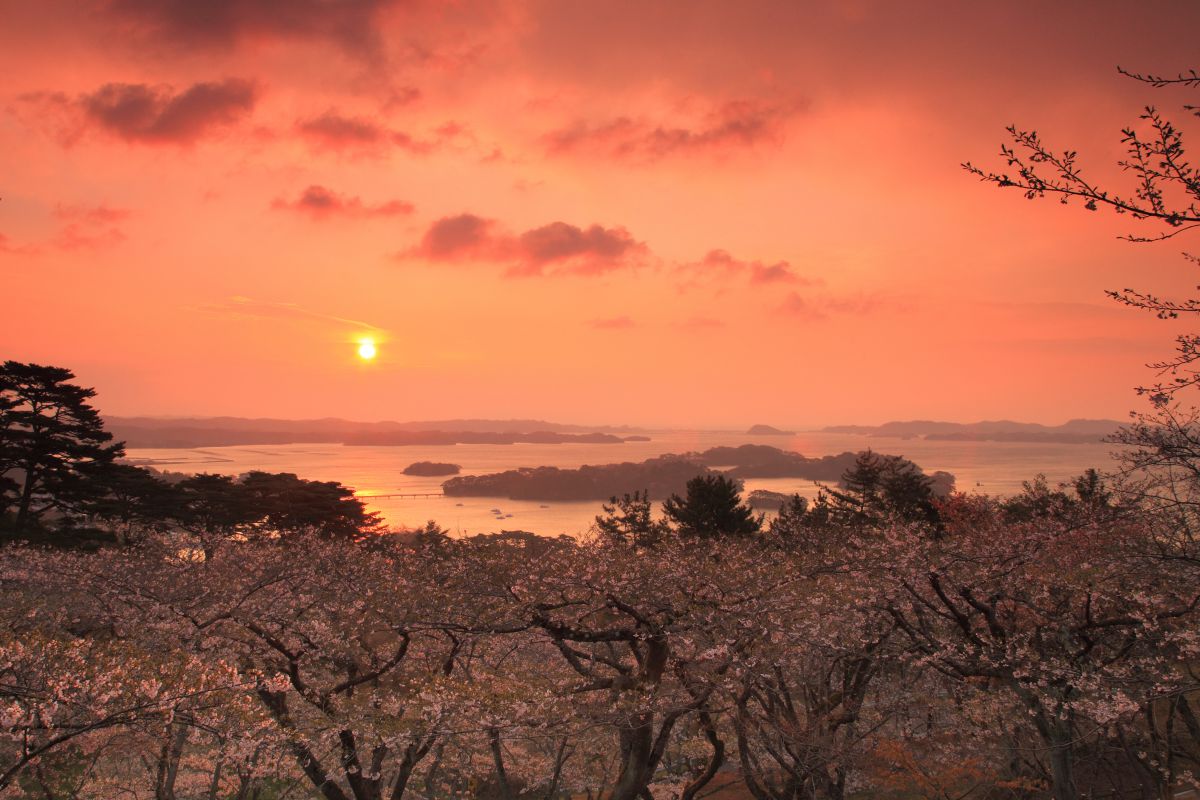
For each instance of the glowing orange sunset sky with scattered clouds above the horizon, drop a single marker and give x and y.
(687, 213)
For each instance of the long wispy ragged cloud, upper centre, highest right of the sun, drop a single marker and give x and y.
(733, 127)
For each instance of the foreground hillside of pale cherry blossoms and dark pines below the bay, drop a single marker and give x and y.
(266, 637)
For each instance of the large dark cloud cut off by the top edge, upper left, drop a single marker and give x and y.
(351, 25)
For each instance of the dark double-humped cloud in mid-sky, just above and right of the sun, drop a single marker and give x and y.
(557, 248)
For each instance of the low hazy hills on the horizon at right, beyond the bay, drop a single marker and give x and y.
(1072, 432)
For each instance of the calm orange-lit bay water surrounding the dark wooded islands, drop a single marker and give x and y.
(983, 467)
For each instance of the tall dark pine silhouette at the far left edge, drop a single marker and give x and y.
(53, 444)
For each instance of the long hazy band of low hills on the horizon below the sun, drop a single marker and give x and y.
(226, 431)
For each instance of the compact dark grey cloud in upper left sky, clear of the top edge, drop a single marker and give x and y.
(159, 116)
